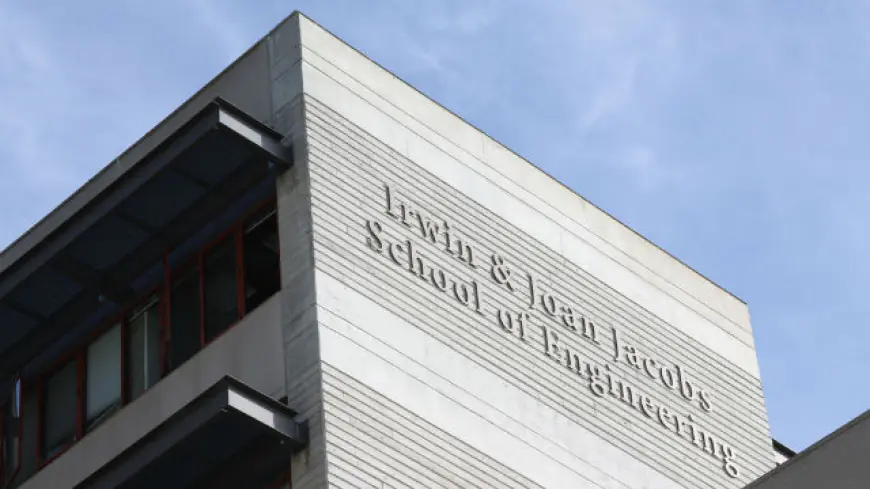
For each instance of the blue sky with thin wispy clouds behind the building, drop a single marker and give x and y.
(733, 134)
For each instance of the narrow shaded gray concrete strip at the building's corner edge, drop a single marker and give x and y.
(300, 334)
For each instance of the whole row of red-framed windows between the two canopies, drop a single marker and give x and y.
(227, 280)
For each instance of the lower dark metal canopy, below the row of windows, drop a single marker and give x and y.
(231, 436)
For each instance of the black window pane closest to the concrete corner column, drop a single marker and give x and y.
(261, 259)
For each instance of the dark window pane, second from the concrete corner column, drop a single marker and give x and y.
(219, 279)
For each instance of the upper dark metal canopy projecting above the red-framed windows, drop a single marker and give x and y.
(95, 257)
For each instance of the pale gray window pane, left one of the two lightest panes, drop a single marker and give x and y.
(103, 377)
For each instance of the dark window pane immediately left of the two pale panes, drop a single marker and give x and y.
(60, 409)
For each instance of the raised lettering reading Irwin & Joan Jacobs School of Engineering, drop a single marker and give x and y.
(409, 253)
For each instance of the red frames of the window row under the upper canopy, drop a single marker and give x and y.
(163, 293)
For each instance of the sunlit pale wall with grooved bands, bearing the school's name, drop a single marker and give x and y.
(424, 387)
